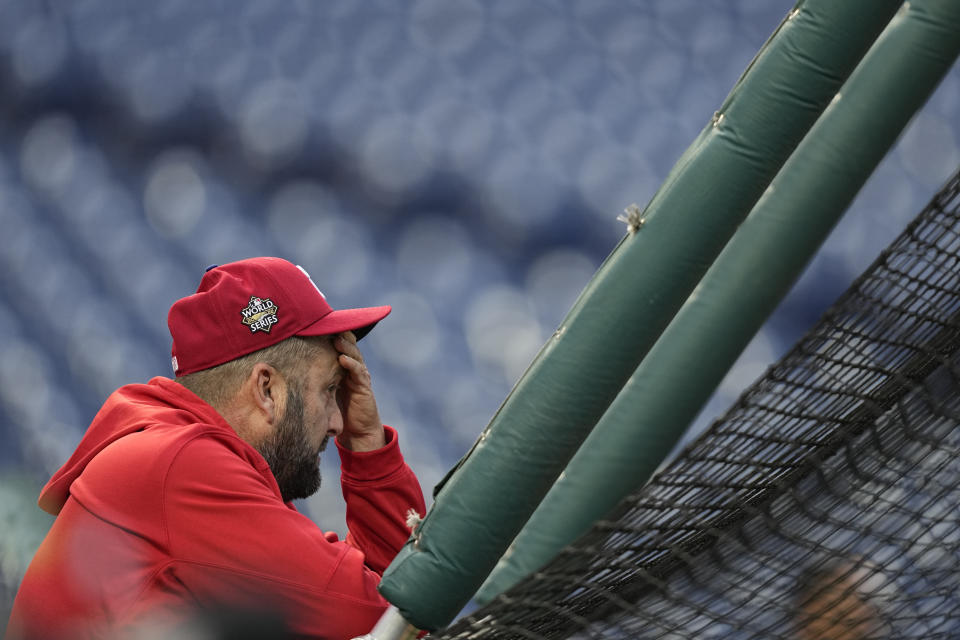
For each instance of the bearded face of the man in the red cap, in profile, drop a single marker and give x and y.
(310, 416)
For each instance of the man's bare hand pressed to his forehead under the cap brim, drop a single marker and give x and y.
(362, 428)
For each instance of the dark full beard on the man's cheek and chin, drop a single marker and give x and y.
(287, 450)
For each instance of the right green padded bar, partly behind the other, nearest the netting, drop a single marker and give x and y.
(751, 276)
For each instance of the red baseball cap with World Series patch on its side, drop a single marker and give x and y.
(251, 304)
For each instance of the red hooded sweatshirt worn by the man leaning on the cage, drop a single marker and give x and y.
(163, 508)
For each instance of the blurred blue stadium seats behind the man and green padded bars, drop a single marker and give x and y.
(462, 160)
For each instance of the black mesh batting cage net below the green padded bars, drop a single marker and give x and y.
(822, 505)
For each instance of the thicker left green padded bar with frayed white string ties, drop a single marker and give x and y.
(626, 306)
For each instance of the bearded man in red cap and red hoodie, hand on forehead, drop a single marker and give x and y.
(178, 497)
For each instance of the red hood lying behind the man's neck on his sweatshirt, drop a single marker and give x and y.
(130, 409)
